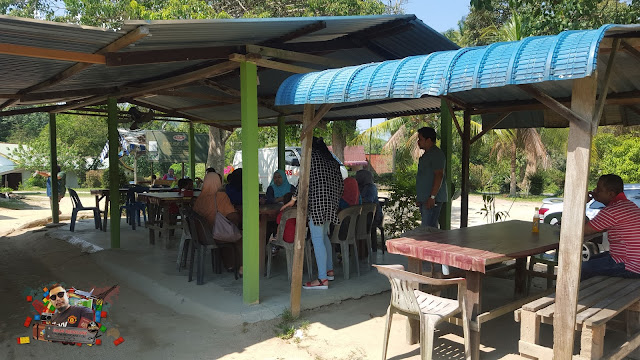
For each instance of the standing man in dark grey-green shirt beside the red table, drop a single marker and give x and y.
(430, 192)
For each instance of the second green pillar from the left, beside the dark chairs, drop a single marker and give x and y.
(114, 176)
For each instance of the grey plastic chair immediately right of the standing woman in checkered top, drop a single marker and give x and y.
(345, 235)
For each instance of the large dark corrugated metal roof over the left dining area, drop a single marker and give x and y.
(351, 40)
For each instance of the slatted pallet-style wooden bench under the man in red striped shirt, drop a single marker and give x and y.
(600, 299)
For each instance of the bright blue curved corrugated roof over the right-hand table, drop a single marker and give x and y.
(480, 76)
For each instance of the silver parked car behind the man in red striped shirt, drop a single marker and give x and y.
(551, 211)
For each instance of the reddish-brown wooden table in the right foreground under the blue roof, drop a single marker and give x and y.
(472, 249)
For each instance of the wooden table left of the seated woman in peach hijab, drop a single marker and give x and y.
(158, 204)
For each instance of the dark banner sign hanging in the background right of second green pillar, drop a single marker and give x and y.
(174, 146)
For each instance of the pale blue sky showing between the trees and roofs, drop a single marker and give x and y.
(437, 15)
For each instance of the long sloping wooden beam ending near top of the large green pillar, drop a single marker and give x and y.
(132, 90)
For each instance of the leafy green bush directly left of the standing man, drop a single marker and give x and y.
(401, 207)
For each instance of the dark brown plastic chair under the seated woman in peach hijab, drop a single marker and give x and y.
(202, 240)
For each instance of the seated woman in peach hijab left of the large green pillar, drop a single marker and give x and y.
(213, 200)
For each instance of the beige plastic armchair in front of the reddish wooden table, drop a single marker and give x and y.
(408, 300)
